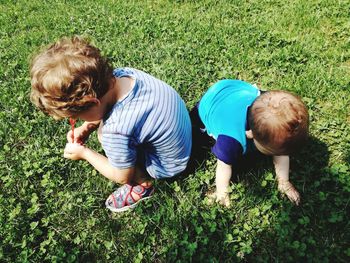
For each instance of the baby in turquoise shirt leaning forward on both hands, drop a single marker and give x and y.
(240, 117)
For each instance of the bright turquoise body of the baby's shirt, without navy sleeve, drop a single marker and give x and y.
(223, 109)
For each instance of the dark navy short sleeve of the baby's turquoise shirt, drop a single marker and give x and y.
(227, 149)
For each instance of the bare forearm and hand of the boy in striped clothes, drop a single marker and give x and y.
(100, 162)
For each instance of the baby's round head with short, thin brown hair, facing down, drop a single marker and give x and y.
(279, 122)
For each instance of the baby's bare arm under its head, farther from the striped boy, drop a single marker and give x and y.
(281, 163)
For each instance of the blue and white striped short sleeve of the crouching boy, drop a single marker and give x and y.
(120, 150)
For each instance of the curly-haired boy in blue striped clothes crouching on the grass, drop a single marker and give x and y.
(144, 127)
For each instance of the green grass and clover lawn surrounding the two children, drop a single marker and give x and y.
(52, 209)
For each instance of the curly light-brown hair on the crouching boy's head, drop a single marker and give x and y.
(67, 75)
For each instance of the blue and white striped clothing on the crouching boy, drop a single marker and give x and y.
(150, 125)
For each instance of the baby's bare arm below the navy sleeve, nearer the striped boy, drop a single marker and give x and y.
(222, 181)
